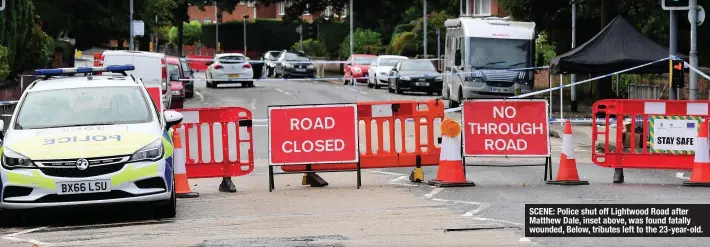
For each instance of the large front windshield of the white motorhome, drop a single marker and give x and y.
(489, 53)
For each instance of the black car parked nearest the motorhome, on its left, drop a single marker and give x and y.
(415, 75)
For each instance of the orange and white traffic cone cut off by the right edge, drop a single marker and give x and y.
(700, 176)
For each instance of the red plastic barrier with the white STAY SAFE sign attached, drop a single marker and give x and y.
(662, 134)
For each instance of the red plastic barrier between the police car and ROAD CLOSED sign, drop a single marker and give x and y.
(218, 141)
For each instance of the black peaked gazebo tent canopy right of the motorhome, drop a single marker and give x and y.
(618, 46)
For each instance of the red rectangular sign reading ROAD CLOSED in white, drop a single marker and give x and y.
(313, 134)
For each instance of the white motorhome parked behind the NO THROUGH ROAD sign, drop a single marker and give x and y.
(484, 58)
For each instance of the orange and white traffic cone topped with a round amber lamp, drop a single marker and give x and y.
(451, 172)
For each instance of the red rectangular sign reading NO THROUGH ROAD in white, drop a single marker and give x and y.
(505, 128)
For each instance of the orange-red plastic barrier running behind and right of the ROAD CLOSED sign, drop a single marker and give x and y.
(392, 123)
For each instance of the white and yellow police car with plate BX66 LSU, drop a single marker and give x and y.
(77, 138)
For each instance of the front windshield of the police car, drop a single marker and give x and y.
(83, 107)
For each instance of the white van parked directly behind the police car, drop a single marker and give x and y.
(150, 67)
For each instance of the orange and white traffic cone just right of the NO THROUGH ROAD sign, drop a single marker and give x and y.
(567, 173)
